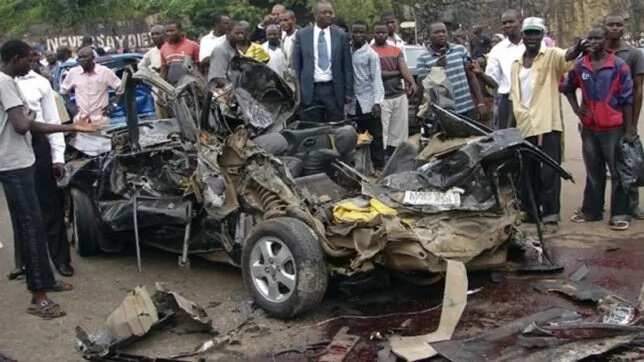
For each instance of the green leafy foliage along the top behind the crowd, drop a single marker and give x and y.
(17, 15)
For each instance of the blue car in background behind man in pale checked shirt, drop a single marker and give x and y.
(117, 63)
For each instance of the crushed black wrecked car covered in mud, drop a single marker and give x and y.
(234, 177)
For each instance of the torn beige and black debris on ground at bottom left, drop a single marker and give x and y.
(134, 318)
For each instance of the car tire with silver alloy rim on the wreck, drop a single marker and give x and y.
(284, 268)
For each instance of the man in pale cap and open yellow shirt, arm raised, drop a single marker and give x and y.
(536, 104)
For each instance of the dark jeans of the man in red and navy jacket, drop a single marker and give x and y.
(600, 150)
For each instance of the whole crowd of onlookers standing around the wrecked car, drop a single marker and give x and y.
(514, 79)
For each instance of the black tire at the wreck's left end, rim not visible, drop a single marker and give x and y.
(85, 225)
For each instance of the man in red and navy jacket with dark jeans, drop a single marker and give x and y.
(606, 115)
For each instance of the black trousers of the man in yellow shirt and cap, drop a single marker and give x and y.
(543, 179)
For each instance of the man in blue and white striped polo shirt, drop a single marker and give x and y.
(455, 59)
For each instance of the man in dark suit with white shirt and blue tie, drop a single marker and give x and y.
(322, 63)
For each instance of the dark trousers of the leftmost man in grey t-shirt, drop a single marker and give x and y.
(28, 228)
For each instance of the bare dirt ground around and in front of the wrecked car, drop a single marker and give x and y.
(614, 260)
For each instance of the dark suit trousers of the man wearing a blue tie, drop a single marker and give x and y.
(324, 107)
